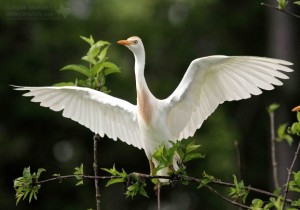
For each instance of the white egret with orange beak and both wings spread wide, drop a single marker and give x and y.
(208, 82)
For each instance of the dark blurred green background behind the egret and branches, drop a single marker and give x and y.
(39, 37)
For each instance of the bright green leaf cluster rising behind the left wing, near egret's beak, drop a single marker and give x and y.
(96, 69)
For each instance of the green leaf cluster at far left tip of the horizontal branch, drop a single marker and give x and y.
(26, 185)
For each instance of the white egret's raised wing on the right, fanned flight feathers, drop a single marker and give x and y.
(210, 81)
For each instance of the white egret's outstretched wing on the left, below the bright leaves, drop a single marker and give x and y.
(101, 113)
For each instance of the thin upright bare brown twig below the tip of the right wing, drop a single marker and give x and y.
(273, 150)
